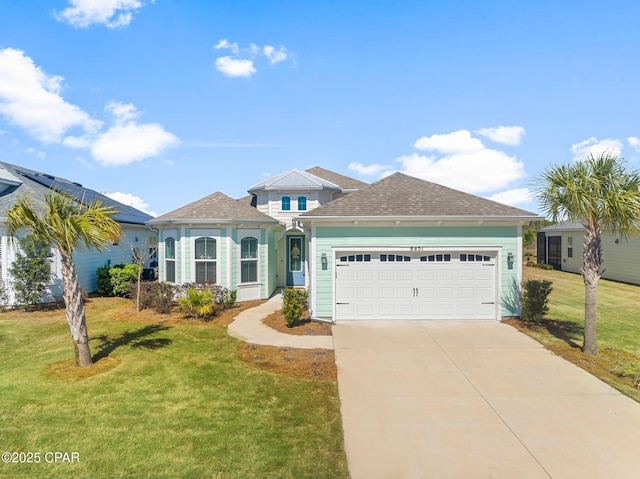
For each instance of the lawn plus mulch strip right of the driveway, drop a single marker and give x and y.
(618, 326)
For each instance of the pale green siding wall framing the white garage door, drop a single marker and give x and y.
(327, 238)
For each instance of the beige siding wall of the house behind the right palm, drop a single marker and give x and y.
(621, 260)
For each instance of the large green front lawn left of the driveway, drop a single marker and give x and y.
(179, 404)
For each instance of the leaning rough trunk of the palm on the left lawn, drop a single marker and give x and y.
(74, 307)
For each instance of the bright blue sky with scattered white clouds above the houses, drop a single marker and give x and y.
(163, 102)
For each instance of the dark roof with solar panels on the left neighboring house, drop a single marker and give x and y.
(31, 183)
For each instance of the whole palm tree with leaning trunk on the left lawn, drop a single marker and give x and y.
(67, 224)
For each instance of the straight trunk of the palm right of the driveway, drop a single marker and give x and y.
(592, 260)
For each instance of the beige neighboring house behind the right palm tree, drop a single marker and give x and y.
(561, 246)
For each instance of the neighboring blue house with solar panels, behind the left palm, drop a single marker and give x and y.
(17, 182)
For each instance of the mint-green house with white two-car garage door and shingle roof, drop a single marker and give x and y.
(400, 248)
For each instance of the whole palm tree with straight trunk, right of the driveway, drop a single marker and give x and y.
(600, 193)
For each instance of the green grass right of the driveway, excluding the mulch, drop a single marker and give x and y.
(618, 308)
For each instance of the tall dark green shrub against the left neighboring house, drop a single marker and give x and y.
(31, 270)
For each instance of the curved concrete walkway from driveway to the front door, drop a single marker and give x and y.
(248, 327)
